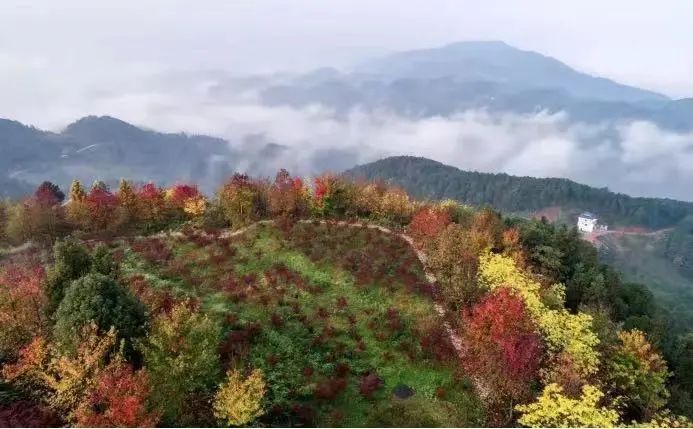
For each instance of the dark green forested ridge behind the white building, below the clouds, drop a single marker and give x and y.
(425, 178)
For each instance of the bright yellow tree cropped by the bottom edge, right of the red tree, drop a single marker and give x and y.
(553, 409)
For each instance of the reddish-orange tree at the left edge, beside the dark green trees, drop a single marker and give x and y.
(22, 308)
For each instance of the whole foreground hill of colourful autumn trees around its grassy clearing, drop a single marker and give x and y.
(330, 302)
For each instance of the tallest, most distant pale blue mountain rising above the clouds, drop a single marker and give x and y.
(490, 76)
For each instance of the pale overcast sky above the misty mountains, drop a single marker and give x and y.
(50, 49)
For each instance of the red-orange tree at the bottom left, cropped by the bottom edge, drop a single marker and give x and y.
(118, 399)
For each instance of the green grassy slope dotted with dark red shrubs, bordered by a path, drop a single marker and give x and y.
(335, 316)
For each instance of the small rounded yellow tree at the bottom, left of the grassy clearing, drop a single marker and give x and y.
(239, 400)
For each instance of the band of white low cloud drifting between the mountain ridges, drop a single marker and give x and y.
(638, 158)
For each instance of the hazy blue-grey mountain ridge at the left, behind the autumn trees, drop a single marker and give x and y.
(105, 148)
